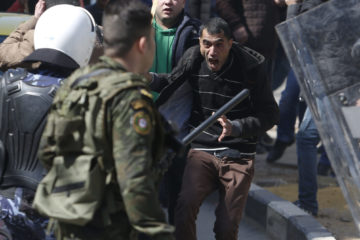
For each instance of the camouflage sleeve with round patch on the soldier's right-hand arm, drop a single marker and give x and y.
(133, 137)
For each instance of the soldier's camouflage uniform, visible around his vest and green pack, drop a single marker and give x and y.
(130, 199)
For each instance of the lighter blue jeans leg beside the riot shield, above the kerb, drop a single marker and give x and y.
(306, 140)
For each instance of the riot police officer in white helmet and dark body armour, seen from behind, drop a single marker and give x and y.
(64, 38)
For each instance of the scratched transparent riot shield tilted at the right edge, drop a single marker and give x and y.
(323, 47)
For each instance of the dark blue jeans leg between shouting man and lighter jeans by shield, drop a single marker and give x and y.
(290, 107)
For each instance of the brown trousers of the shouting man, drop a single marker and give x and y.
(204, 173)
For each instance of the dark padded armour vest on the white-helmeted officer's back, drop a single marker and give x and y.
(23, 110)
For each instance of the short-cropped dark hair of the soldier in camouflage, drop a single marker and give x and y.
(124, 22)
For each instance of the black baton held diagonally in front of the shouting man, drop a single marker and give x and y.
(211, 120)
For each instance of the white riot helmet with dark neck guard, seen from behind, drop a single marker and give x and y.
(64, 36)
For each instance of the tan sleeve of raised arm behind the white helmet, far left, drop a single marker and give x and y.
(18, 45)
